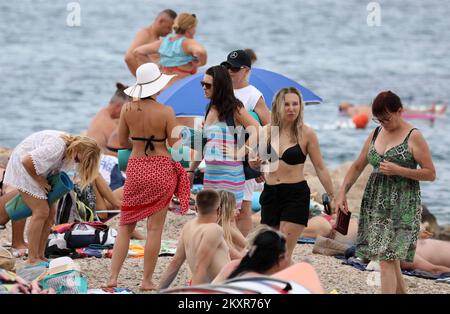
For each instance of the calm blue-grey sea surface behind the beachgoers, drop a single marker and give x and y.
(56, 76)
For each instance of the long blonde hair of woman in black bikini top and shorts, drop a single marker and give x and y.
(278, 107)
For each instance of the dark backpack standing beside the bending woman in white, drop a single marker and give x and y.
(71, 209)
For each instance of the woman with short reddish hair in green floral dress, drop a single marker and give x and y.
(391, 204)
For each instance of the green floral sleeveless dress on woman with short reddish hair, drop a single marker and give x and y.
(390, 209)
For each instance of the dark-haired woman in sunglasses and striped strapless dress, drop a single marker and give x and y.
(224, 169)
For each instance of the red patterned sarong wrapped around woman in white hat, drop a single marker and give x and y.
(151, 182)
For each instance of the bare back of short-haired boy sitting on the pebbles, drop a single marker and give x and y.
(193, 237)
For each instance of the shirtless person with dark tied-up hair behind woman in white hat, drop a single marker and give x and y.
(106, 120)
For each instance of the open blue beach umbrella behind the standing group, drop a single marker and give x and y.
(187, 99)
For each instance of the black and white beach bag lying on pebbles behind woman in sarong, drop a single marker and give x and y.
(83, 235)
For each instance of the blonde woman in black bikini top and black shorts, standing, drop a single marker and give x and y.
(285, 198)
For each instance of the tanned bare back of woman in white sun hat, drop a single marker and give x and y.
(143, 119)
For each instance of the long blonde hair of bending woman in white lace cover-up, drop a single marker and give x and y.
(90, 157)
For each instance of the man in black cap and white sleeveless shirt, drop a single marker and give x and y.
(239, 64)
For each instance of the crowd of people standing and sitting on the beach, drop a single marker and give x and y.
(247, 147)
